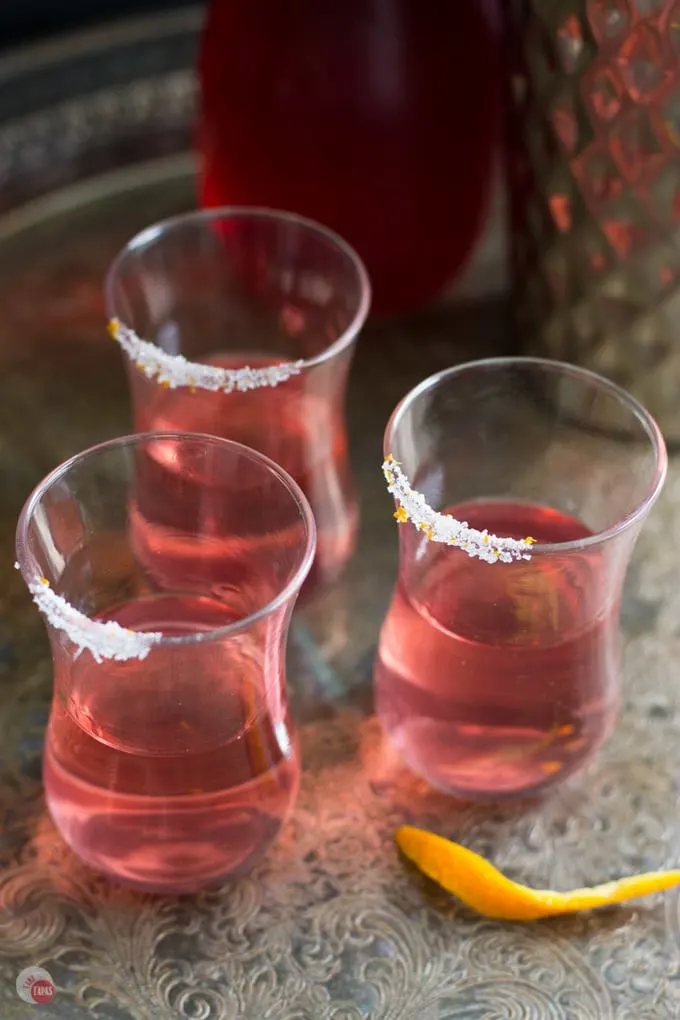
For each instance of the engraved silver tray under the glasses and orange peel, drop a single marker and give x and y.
(95, 139)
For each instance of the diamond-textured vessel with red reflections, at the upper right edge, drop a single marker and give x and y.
(595, 184)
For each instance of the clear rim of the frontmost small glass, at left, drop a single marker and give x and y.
(31, 573)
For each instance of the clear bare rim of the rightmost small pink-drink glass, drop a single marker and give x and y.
(585, 376)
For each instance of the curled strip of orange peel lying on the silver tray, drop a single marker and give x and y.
(483, 888)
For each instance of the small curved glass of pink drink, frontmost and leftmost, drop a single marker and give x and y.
(171, 772)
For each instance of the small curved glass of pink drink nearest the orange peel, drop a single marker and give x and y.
(501, 679)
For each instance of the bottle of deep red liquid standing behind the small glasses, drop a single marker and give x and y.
(379, 118)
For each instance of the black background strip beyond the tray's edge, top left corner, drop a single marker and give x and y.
(31, 21)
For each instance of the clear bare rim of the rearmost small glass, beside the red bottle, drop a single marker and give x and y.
(150, 235)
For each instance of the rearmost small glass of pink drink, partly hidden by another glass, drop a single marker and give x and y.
(252, 287)
